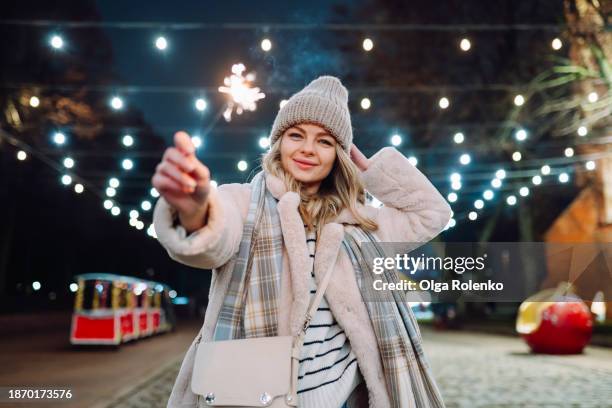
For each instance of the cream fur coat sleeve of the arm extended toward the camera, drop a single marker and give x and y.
(215, 243)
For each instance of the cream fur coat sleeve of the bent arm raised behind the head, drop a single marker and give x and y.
(414, 210)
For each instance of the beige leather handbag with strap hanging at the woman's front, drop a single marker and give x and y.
(255, 372)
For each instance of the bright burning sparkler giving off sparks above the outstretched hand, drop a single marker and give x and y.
(239, 88)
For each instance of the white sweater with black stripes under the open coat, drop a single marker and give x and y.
(328, 370)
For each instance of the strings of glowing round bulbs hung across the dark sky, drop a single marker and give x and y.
(242, 96)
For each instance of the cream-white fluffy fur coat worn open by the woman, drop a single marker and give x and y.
(413, 211)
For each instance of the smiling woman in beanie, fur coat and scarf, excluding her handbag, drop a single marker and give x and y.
(313, 182)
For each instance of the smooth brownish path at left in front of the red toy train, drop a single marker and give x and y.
(40, 355)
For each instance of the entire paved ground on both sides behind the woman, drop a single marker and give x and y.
(472, 370)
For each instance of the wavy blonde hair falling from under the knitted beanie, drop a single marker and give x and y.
(341, 189)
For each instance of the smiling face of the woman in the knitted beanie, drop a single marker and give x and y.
(308, 153)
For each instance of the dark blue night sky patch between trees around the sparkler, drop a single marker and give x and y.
(201, 58)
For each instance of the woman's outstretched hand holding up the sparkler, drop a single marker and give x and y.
(184, 182)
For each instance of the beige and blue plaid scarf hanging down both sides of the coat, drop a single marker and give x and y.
(250, 306)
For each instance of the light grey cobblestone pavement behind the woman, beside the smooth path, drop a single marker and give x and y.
(476, 371)
